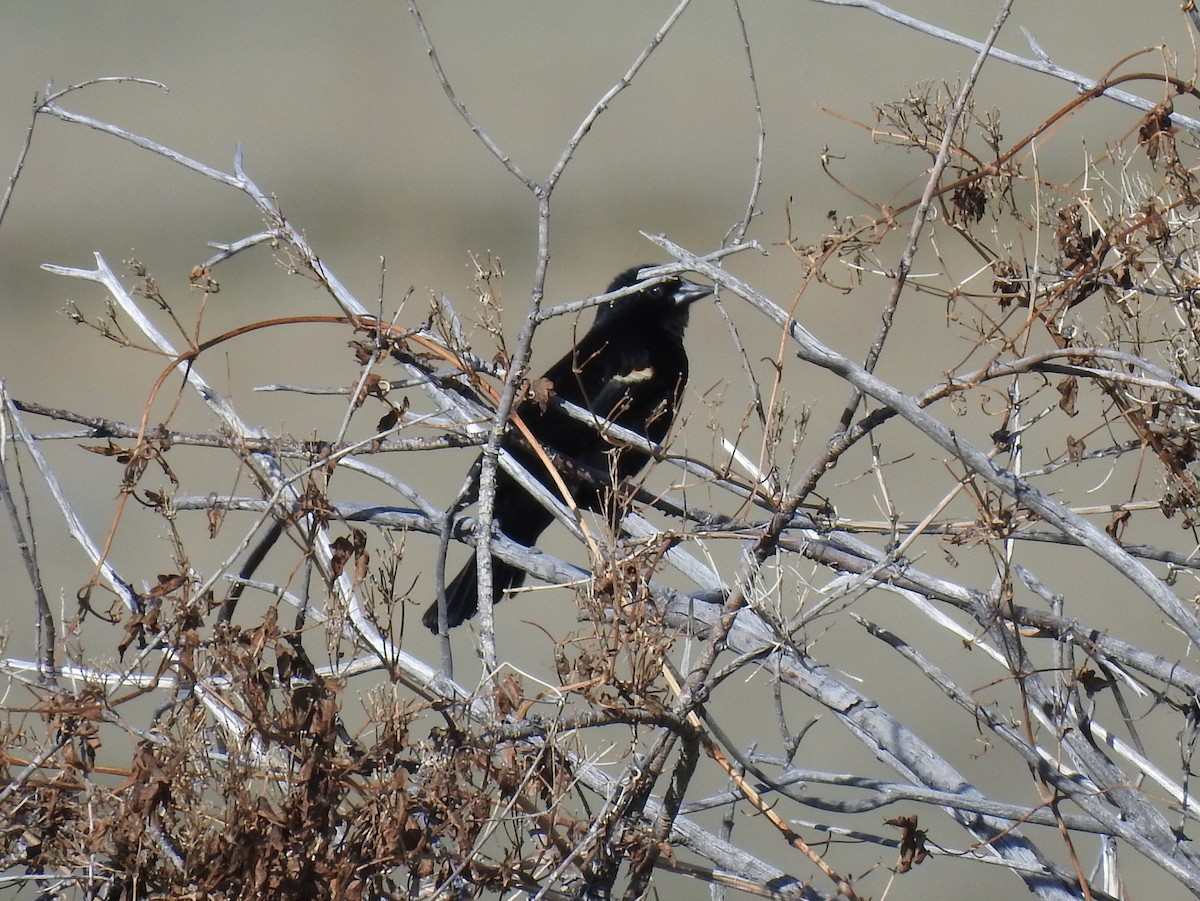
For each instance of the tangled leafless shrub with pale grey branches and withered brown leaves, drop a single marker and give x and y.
(194, 737)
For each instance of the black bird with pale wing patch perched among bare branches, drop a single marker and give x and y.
(631, 368)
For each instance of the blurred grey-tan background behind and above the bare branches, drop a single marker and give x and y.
(341, 118)
